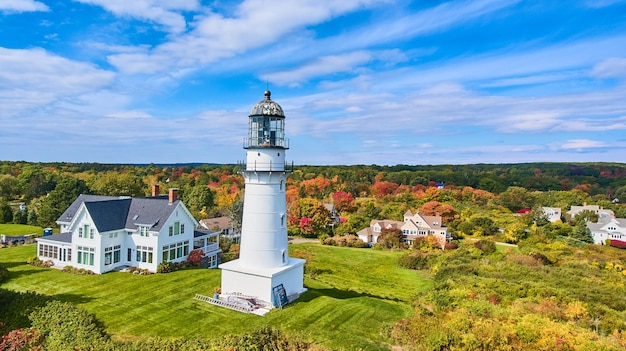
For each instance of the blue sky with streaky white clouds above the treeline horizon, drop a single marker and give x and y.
(360, 81)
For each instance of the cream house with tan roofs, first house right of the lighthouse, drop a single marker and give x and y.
(415, 225)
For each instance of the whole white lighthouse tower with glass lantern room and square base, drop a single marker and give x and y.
(264, 269)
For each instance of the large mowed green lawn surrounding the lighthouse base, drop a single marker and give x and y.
(352, 294)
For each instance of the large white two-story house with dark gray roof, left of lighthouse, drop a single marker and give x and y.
(105, 233)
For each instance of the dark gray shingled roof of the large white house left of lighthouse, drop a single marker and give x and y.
(114, 213)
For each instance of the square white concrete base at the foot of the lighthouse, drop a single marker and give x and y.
(260, 282)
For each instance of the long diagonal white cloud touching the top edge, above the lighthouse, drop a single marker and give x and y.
(255, 23)
